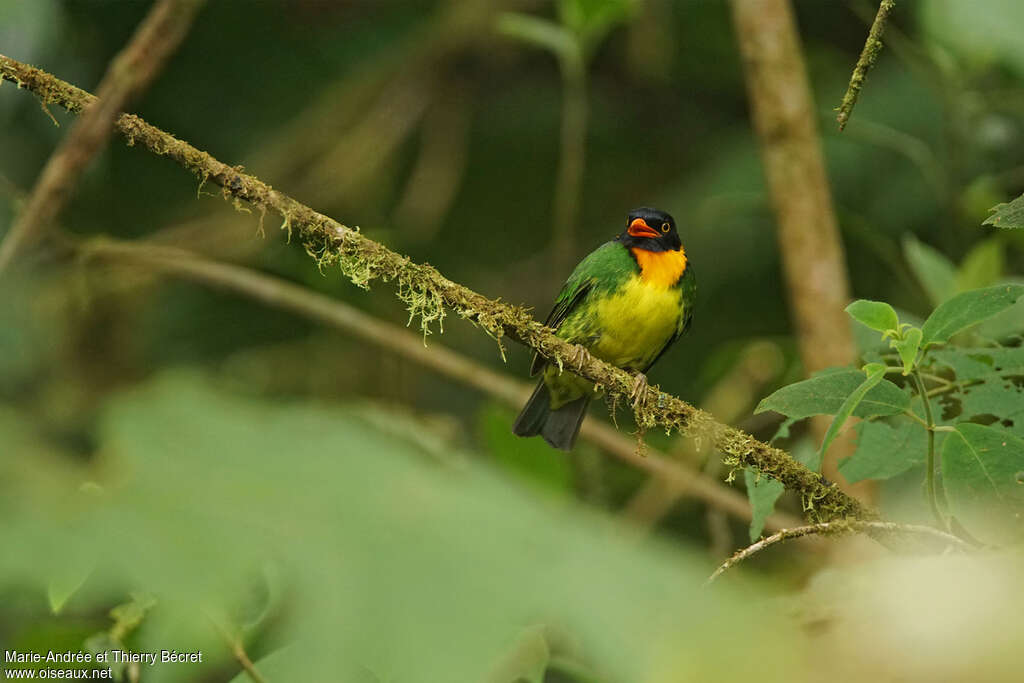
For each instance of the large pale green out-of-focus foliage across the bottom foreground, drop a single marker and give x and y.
(401, 565)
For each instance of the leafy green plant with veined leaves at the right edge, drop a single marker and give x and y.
(937, 398)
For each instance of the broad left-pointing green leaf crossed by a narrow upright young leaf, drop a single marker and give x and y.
(826, 393)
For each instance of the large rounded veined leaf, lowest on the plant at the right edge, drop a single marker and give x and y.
(984, 477)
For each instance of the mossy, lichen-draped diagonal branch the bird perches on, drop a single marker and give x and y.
(429, 293)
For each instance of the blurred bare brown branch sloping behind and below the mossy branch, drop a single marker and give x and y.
(282, 294)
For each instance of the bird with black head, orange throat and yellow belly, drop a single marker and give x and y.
(625, 304)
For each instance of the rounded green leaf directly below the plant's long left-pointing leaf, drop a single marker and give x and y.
(884, 452)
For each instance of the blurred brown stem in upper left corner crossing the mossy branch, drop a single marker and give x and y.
(130, 73)
